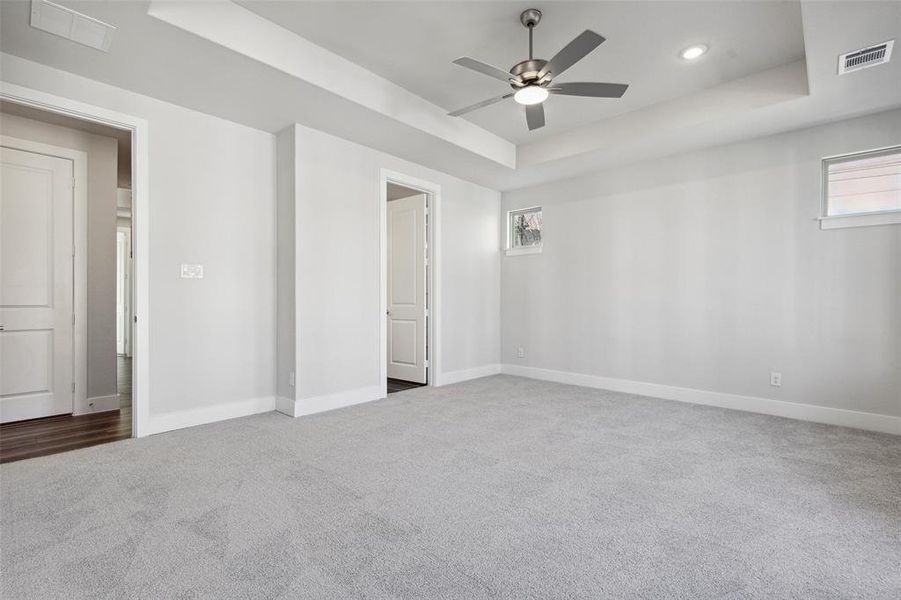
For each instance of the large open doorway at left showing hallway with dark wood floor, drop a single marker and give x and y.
(64, 383)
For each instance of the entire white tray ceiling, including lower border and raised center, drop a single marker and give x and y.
(381, 73)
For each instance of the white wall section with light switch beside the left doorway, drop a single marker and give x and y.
(212, 201)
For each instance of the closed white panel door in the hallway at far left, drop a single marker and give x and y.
(36, 285)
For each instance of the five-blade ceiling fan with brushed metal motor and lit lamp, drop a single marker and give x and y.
(532, 79)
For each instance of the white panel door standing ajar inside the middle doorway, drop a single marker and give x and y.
(407, 289)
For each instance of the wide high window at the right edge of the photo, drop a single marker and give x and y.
(862, 189)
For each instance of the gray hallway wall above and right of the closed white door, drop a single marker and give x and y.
(101, 251)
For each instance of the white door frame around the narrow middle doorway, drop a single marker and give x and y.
(432, 193)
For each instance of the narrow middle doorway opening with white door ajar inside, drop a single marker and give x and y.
(408, 287)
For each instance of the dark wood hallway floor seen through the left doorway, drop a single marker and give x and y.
(39, 437)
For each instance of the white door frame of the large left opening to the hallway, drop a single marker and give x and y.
(140, 159)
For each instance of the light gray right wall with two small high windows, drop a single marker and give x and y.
(709, 270)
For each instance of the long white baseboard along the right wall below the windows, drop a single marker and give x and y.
(778, 408)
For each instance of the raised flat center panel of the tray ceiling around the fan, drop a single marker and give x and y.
(413, 44)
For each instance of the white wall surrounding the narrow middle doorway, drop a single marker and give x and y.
(338, 295)
